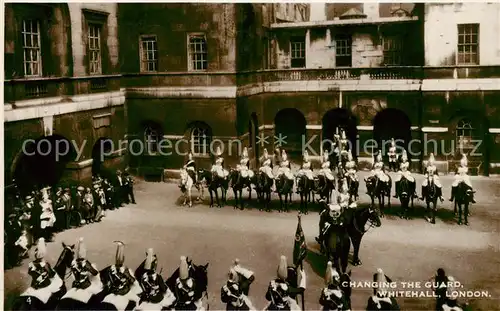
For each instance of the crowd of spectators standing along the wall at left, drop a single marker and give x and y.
(44, 212)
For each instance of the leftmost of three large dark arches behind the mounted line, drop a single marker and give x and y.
(291, 125)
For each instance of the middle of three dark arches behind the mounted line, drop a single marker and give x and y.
(333, 121)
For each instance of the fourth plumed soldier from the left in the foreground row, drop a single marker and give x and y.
(155, 293)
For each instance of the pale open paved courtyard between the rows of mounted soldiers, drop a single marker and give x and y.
(406, 250)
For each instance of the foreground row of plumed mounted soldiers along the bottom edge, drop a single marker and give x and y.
(118, 287)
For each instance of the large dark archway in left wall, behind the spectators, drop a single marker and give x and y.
(42, 162)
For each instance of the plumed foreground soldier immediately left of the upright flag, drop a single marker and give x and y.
(278, 293)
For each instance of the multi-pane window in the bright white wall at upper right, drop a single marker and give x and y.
(468, 44)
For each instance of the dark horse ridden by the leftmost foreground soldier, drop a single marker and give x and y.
(32, 302)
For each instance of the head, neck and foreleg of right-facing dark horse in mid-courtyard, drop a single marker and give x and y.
(358, 221)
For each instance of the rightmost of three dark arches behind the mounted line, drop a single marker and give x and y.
(391, 123)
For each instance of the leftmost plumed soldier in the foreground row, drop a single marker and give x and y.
(45, 282)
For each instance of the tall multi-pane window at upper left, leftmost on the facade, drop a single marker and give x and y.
(31, 48)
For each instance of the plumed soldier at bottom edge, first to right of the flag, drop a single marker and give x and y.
(332, 297)
